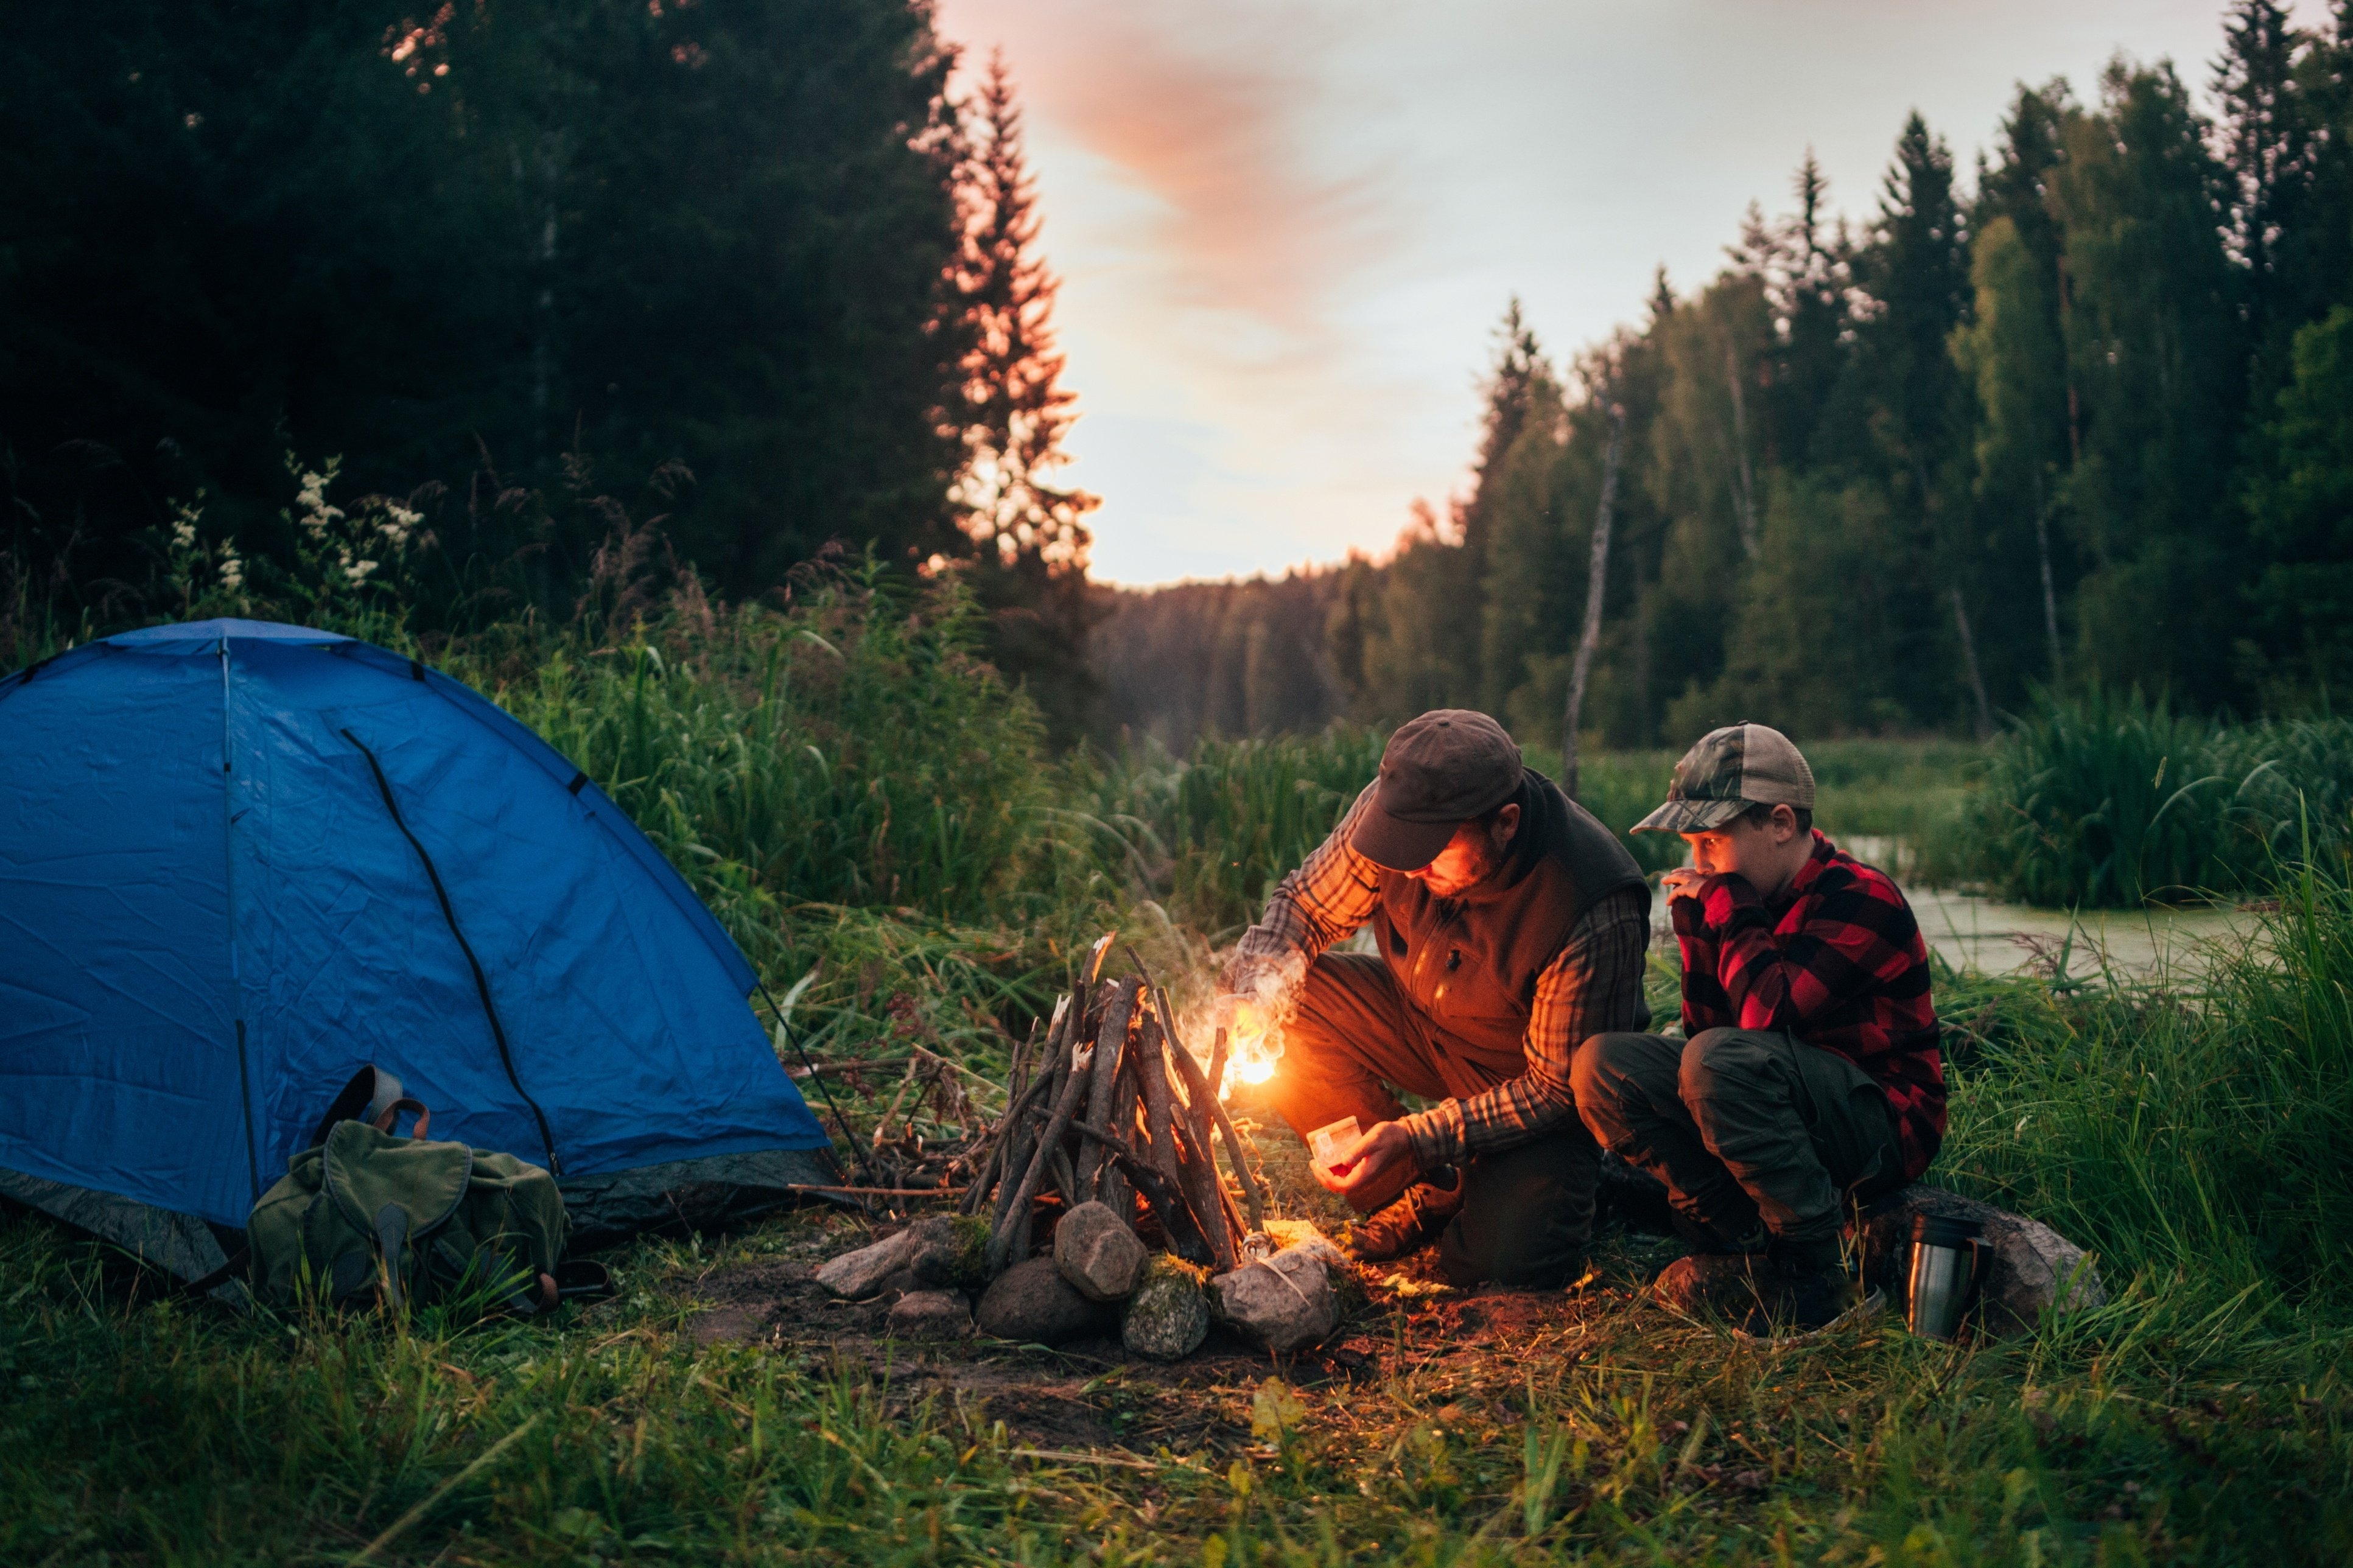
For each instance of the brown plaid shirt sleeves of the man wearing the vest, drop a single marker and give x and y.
(1592, 988)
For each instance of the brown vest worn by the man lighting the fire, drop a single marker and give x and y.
(1472, 964)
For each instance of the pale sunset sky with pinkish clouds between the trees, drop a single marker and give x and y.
(1288, 230)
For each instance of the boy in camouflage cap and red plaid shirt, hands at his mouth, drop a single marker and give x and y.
(1808, 1070)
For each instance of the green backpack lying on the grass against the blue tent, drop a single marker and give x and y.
(373, 1218)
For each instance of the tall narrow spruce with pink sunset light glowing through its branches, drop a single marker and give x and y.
(1025, 531)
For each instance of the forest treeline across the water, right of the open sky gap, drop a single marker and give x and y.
(2081, 418)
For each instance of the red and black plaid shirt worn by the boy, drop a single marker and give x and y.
(1839, 964)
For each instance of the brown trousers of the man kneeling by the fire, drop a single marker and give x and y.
(1357, 1042)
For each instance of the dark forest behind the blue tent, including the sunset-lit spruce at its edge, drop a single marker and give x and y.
(740, 270)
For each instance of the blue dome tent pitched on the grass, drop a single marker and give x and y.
(244, 861)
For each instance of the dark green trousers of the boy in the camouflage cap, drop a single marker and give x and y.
(1742, 1127)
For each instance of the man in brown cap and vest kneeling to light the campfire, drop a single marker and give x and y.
(1509, 929)
